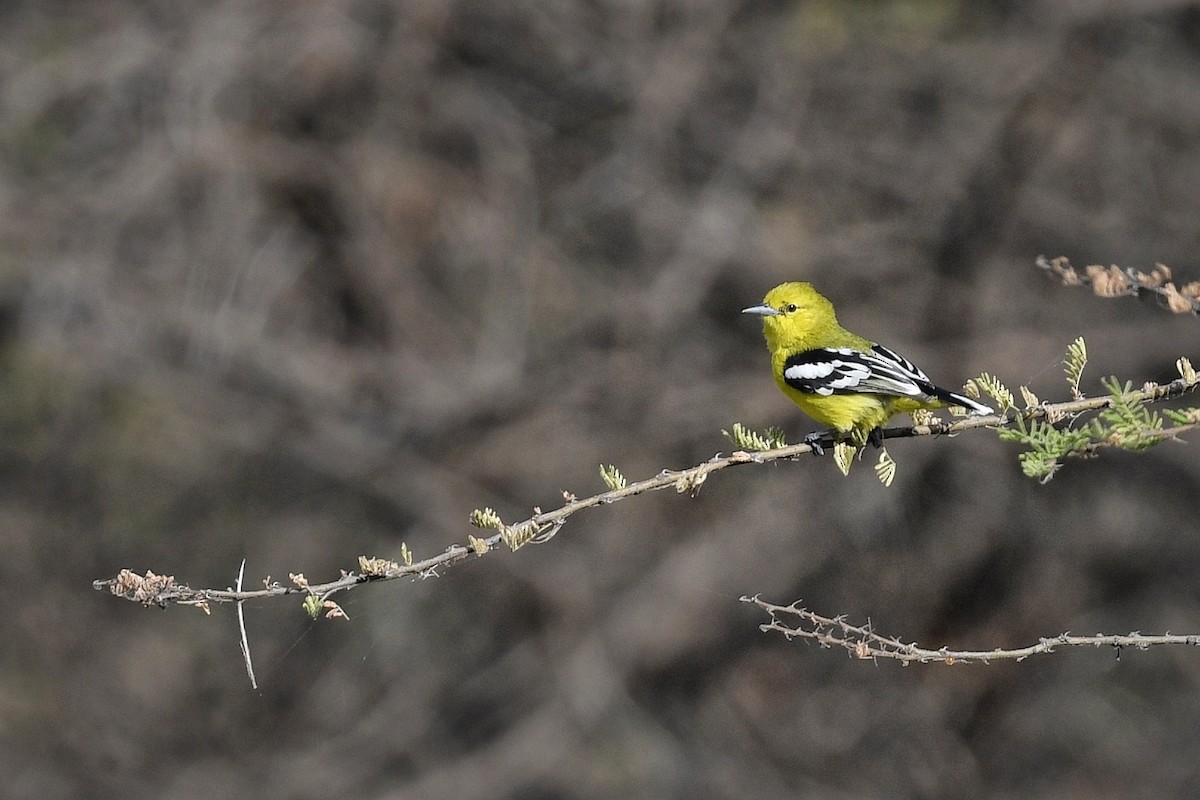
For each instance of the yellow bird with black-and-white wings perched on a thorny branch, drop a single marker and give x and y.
(841, 380)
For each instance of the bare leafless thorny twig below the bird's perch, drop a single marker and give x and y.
(862, 642)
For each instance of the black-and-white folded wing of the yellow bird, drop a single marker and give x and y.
(847, 371)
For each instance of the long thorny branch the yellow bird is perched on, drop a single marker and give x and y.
(163, 591)
